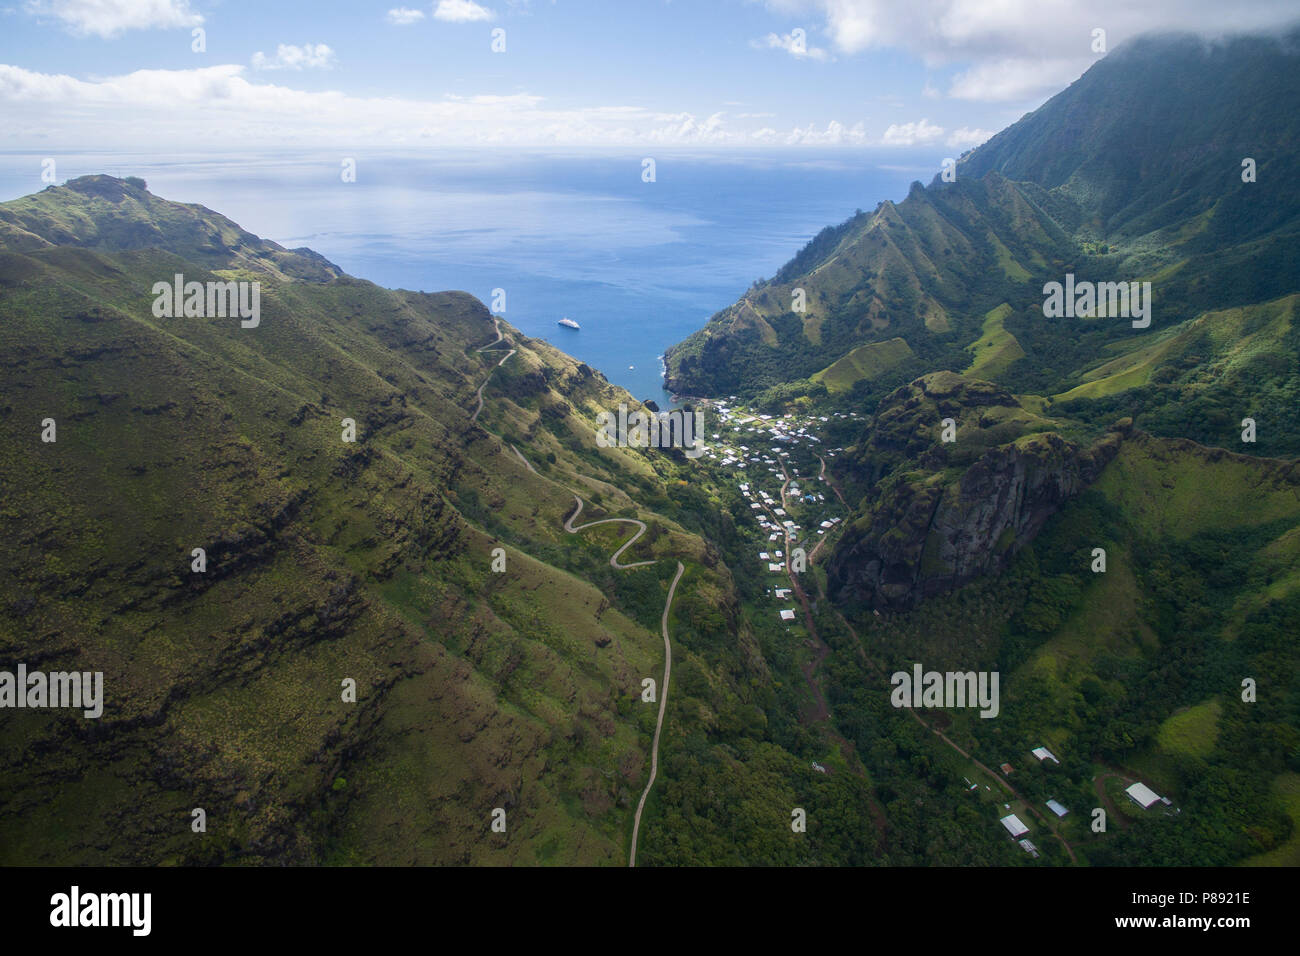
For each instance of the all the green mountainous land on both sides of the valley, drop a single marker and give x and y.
(1071, 504)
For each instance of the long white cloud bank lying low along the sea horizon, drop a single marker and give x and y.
(218, 106)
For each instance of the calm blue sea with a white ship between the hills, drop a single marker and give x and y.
(639, 266)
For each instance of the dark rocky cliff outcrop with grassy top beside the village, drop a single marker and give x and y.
(972, 505)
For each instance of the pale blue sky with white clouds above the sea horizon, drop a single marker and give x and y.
(577, 75)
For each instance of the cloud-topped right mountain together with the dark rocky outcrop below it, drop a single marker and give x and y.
(929, 309)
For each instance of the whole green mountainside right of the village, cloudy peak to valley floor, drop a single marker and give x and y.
(1106, 516)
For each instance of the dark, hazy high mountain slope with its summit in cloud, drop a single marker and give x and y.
(1175, 157)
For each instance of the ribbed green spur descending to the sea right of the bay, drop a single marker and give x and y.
(907, 271)
